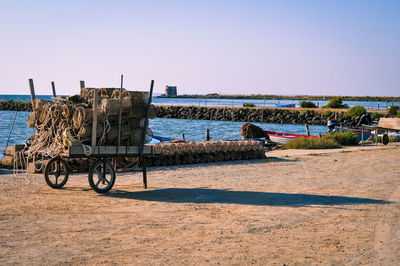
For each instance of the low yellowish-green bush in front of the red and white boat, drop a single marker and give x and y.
(311, 143)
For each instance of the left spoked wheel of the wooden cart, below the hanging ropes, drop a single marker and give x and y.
(56, 173)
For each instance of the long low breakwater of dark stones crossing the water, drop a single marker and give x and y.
(265, 115)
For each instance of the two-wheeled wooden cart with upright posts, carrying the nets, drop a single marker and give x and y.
(102, 173)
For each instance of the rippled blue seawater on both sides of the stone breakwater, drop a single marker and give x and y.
(14, 130)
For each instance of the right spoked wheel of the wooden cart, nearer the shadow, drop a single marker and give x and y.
(101, 176)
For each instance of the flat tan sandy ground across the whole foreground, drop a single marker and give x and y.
(294, 208)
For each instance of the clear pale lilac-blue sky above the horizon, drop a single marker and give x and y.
(341, 47)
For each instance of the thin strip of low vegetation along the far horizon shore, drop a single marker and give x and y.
(285, 97)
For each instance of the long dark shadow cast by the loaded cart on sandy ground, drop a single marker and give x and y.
(205, 195)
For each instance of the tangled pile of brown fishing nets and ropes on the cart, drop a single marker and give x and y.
(68, 121)
